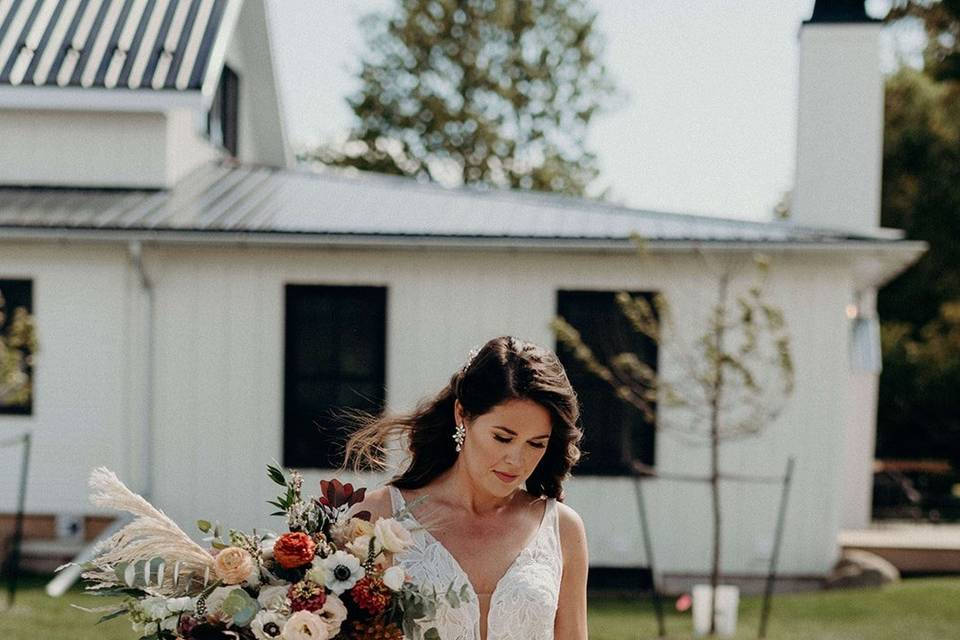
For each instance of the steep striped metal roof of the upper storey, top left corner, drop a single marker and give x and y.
(133, 44)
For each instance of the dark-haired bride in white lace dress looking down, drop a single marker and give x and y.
(491, 452)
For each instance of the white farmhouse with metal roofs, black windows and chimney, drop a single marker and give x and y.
(202, 306)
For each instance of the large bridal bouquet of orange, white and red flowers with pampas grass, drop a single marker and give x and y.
(329, 577)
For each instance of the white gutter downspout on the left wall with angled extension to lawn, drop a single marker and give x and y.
(70, 573)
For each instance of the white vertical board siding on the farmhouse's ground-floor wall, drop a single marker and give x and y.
(218, 408)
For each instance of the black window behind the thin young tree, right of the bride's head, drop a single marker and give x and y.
(616, 434)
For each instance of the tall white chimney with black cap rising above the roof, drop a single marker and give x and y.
(840, 120)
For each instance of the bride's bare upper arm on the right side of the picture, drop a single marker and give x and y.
(571, 621)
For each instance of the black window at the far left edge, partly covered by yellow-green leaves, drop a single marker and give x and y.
(17, 346)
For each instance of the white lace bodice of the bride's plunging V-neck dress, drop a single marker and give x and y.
(524, 602)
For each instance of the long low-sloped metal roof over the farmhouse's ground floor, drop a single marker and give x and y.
(251, 200)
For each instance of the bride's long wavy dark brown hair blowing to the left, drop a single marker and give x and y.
(505, 368)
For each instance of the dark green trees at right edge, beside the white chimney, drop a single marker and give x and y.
(918, 414)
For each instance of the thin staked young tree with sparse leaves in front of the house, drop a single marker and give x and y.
(730, 382)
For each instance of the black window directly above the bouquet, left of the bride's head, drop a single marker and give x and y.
(335, 360)
